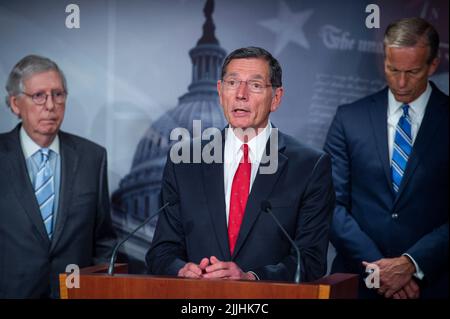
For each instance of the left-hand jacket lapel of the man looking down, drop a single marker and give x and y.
(378, 115)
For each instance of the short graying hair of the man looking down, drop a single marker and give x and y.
(409, 32)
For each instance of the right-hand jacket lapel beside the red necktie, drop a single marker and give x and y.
(261, 189)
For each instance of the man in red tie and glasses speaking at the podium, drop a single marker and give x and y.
(218, 229)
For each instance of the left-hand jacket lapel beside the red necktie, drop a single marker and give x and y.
(213, 181)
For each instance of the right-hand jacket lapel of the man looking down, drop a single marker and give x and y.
(432, 119)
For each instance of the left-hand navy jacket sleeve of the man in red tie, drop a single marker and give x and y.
(167, 253)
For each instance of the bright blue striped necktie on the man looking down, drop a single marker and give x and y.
(402, 148)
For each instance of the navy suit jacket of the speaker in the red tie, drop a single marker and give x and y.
(302, 197)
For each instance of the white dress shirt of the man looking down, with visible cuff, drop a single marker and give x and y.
(416, 112)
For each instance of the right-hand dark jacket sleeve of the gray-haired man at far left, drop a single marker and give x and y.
(105, 238)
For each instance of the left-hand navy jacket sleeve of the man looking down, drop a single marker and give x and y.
(346, 235)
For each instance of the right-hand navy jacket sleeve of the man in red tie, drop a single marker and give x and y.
(312, 230)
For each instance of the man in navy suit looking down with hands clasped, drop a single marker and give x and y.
(390, 169)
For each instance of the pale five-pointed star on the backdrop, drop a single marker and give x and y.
(288, 27)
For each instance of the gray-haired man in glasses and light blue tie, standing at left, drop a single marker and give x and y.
(54, 203)
